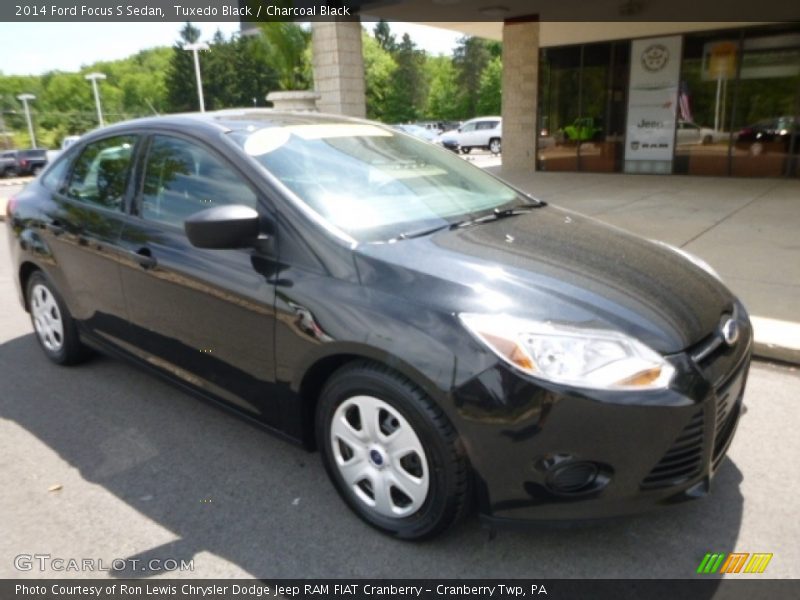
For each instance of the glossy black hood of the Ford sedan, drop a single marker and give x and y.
(555, 265)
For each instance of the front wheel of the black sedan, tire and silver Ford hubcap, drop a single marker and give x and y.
(391, 453)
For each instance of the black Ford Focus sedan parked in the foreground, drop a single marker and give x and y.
(444, 340)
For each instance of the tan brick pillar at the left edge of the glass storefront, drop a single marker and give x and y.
(520, 90)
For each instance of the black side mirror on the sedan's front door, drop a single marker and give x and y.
(223, 227)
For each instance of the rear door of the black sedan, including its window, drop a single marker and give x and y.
(83, 226)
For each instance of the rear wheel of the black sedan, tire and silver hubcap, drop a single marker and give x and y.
(55, 328)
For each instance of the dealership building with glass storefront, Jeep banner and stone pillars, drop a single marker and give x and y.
(630, 91)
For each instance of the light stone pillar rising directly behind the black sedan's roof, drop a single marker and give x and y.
(339, 67)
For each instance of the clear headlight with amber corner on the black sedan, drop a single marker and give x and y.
(589, 358)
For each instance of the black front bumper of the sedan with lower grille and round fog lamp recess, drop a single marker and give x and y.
(544, 452)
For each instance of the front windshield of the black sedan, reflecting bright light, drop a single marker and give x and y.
(373, 184)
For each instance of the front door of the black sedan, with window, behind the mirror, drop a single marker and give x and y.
(204, 316)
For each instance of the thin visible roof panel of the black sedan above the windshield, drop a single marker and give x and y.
(224, 121)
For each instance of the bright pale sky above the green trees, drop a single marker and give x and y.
(34, 48)
